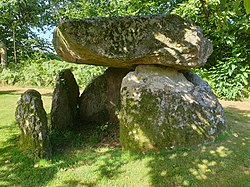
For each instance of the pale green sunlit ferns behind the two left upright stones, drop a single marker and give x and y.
(42, 72)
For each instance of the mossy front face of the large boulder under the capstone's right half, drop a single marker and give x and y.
(158, 119)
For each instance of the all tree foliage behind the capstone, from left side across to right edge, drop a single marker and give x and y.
(226, 23)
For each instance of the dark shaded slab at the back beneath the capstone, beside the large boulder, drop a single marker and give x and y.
(100, 100)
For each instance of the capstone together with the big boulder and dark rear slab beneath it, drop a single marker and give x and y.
(148, 88)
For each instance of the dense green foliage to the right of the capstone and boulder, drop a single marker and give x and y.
(228, 28)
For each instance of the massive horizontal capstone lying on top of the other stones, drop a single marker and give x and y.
(128, 41)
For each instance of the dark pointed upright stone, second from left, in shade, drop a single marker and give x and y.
(64, 111)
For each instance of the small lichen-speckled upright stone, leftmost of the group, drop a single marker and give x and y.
(32, 121)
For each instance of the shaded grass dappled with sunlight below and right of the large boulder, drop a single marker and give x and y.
(224, 163)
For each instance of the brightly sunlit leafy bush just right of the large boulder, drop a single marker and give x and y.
(230, 80)
